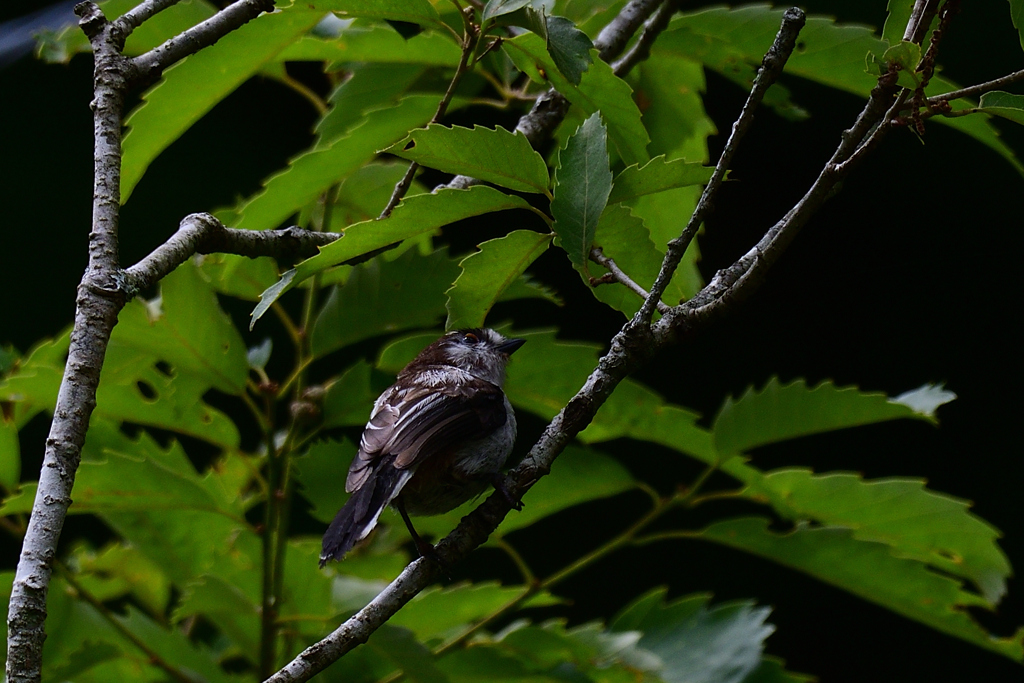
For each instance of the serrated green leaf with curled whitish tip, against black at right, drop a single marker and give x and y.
(782, 412)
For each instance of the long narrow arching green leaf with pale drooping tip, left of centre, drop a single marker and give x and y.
(420, 215)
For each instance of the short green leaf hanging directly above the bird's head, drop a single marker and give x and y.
(489, 273)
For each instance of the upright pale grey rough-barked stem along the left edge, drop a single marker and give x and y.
(98, 307)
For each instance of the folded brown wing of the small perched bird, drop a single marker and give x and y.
(417, 423)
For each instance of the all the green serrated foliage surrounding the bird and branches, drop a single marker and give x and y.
(192, 543)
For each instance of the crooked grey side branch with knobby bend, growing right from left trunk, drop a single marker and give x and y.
(202, 234)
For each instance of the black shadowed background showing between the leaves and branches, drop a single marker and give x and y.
(910, 276)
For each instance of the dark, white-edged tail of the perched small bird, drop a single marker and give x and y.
(359, 517)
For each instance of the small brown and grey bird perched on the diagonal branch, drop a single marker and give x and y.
(436, 439)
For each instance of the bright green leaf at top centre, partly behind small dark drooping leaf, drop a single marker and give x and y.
(600, 90)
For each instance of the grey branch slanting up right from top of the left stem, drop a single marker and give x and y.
(150, 66)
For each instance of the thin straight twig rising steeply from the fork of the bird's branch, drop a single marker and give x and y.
(772, 69)
